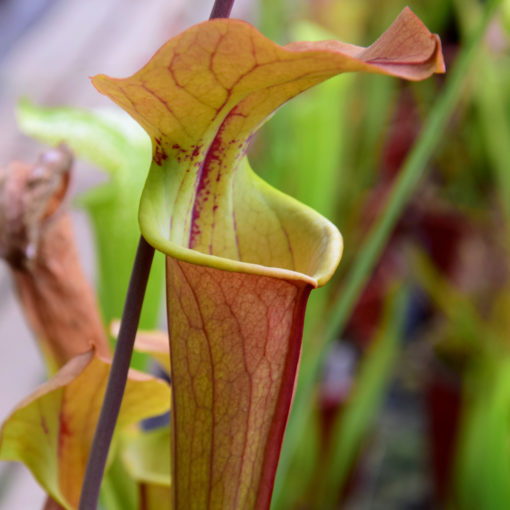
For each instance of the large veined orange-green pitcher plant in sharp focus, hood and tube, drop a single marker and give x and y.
(242, 257)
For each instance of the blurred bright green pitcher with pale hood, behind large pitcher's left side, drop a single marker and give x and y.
(115, 144)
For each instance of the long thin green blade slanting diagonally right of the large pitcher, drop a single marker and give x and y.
(413, 169)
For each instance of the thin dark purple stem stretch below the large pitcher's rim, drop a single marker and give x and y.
(118, 377)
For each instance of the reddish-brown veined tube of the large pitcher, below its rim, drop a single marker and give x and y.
(235, 347)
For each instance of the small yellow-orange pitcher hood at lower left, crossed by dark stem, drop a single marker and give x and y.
(51, 431)
